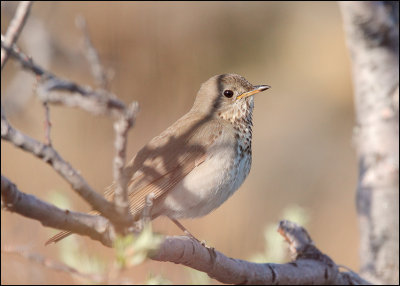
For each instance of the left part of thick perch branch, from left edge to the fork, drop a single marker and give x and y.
(97, 227)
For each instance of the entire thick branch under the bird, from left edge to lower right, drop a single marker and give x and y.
(310, 266)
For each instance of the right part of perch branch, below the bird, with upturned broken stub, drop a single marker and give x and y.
(310, 266)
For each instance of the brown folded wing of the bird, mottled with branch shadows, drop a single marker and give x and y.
(161, 164)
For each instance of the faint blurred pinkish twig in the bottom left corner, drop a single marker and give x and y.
(51, 264)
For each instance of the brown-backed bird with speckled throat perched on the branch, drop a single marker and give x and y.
(198, 162)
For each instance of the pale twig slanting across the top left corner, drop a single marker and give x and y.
(15, 28)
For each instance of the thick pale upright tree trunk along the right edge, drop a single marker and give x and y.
(372, 30)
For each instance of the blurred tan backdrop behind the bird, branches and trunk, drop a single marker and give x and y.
(159, 54)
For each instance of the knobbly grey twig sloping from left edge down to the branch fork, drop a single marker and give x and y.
(50, 156)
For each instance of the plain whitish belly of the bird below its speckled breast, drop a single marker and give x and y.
(208, 185)
